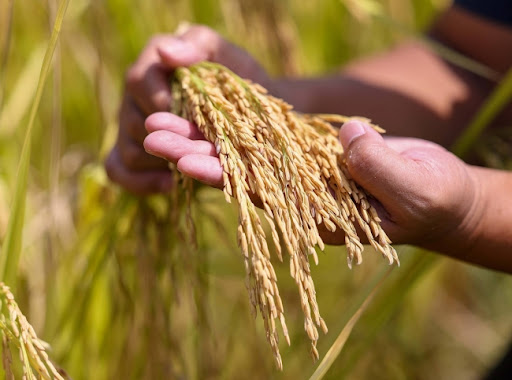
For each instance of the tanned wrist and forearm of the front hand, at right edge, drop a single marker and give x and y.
(484, 237)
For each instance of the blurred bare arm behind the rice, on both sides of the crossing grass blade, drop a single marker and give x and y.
(410, 90)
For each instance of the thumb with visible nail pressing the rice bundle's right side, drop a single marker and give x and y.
(380, 170)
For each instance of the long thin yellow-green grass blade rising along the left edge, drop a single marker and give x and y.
(11, 248)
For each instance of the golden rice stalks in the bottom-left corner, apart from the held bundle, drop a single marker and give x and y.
(16, 330)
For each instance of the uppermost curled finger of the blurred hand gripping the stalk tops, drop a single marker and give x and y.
(147, 80)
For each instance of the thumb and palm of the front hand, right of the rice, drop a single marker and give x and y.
(424, 194)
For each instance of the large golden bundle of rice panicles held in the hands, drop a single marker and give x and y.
(294, 164)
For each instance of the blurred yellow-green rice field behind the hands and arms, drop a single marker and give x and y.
(115, 284)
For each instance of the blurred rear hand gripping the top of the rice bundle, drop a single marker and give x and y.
(147, 91)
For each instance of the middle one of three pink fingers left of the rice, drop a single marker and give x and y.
(173, 147)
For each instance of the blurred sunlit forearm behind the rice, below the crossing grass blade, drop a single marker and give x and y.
(409, 91)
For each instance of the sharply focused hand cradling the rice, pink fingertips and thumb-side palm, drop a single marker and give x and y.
(423, 194)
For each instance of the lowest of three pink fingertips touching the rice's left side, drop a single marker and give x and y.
(206, 169)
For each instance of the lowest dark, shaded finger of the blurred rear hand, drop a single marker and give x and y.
(140, 183)
